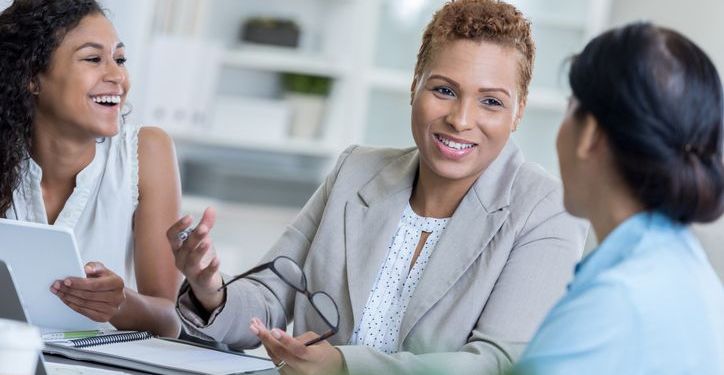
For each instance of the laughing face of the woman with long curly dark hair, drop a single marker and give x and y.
(86, 83)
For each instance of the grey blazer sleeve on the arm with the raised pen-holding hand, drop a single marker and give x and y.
(263, 296)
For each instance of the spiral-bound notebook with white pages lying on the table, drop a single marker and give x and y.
(144, 352)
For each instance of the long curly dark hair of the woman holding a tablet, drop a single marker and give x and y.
(30, 30)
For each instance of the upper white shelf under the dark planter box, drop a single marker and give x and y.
(280, 59)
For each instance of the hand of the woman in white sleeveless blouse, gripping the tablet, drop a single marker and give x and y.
(99, 296)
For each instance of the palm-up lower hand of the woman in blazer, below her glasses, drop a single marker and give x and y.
(321, 358)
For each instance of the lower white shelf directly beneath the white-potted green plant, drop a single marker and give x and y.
(313, 148)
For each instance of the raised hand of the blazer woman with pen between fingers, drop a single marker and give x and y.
(197, 260)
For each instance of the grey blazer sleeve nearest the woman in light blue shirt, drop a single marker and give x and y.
(539, 266)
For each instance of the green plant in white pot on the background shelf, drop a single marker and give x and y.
(306, 95)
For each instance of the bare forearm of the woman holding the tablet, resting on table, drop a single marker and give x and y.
(147, 313)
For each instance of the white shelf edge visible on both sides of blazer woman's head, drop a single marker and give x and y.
(399, 81)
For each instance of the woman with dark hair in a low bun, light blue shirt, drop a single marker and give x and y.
(640, 153)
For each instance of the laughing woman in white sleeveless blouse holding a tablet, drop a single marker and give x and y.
(67, 159)
